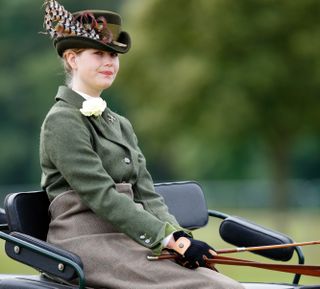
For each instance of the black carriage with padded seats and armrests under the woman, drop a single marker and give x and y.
(24, 225)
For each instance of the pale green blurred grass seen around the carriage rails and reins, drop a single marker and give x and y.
(300, 225)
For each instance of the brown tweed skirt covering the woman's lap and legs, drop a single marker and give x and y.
(114, 261)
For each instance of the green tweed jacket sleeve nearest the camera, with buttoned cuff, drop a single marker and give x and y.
(66, 142)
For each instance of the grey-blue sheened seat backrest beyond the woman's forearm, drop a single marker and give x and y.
(186, 202)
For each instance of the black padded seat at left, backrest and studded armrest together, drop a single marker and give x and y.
(28, 221)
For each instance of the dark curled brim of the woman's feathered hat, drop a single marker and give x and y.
(69, 42)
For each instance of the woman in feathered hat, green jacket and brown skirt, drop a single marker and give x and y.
(103, 204)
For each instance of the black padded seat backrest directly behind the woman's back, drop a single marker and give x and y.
(27, 212)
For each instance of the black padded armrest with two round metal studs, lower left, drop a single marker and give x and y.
(43, 256)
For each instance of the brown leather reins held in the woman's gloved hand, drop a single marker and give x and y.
(310, 270)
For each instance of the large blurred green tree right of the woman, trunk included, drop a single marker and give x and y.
(208, 79)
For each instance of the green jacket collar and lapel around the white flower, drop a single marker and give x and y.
(107, 124)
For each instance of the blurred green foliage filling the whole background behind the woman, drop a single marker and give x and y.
(221, 91)
